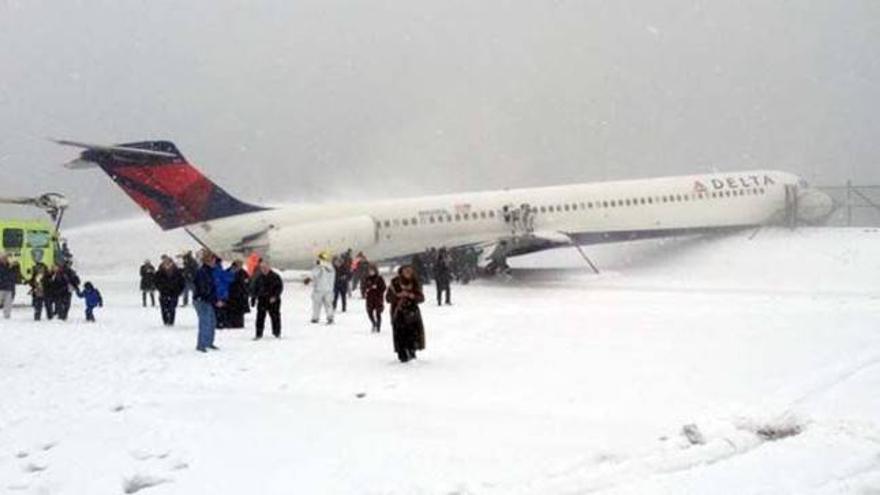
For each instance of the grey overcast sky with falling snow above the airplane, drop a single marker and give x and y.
(315, 100)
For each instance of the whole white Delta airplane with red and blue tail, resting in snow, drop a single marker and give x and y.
(502, 223)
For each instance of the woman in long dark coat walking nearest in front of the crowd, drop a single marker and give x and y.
(404, 295)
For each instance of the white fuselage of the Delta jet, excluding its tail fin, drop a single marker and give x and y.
(293, 235)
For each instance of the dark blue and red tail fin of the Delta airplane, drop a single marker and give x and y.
(160, 180)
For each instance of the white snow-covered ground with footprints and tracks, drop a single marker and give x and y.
(557, 381)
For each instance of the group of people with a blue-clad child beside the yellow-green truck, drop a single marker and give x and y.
(51, 289)
